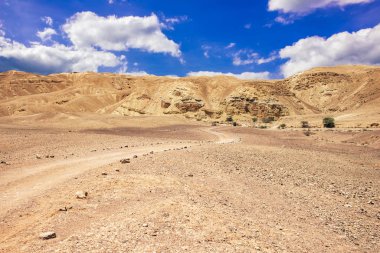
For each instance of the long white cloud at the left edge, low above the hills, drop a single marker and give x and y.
(50, 59)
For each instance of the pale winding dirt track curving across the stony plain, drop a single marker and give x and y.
(17, 186)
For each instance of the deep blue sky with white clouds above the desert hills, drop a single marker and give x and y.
(261, 39)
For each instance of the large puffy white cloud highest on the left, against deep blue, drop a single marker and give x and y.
(86, 29)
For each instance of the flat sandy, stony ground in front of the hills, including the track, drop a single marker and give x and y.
(202, 189)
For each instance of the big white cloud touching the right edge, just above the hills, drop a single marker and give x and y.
(361, 47)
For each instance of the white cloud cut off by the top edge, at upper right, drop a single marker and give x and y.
(305, 6)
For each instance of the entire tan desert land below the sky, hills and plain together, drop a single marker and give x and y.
(106, 171)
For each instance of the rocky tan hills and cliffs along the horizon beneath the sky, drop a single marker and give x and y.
(322, 90)
